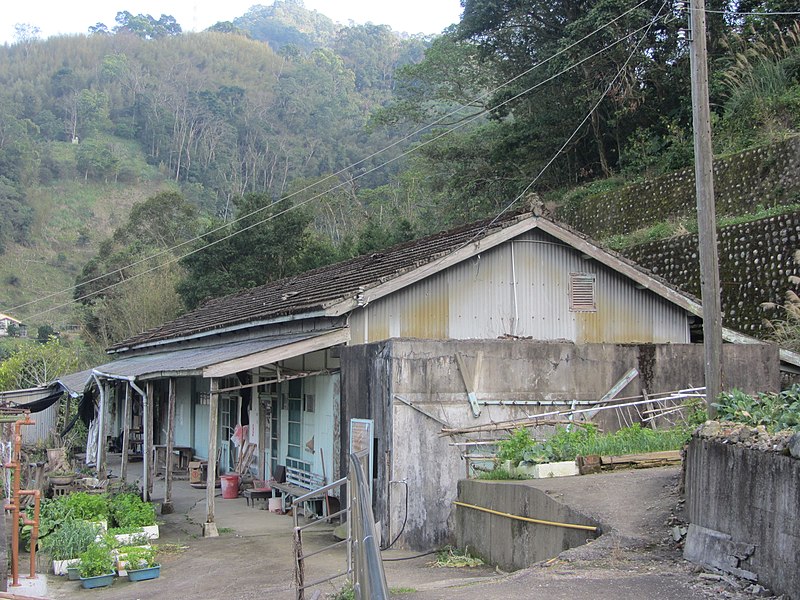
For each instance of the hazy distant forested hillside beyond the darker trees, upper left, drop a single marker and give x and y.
(91, 124)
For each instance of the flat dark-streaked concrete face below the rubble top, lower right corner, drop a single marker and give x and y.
(752, 496)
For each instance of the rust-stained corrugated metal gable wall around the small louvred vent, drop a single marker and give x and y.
(490, 296)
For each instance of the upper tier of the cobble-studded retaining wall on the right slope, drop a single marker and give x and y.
(767, 176)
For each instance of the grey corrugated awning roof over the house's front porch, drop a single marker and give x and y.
(193, 360)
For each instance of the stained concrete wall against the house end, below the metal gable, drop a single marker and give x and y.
(426, 373)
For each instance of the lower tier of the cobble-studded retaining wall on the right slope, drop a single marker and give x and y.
(755, 262)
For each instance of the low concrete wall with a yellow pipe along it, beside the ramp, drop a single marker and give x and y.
(509, 543)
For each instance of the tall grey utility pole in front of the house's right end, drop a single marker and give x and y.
(706, 213)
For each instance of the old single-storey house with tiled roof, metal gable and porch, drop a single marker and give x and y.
(289, 365)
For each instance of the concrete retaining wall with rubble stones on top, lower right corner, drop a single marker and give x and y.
(742, 499)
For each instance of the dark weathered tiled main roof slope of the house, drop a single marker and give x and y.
(313, 290)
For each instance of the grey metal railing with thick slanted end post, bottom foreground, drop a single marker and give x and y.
(364, 565)
